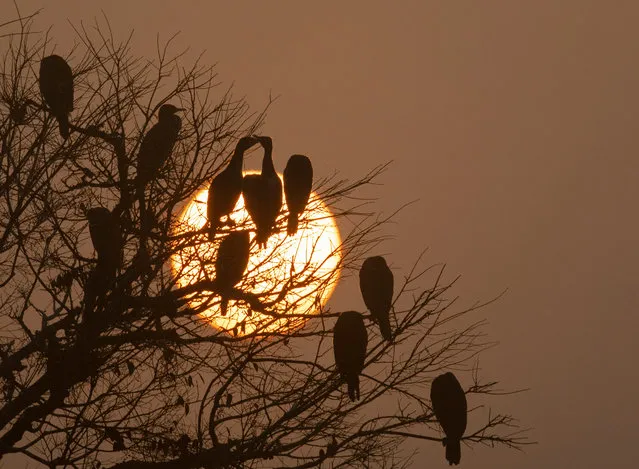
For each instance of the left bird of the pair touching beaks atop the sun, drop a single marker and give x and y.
(226, 188)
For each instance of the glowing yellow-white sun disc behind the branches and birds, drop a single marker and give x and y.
(307, 262)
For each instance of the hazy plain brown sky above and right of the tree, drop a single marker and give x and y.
(513, 123)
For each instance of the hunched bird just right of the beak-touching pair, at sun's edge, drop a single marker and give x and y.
(298, 181)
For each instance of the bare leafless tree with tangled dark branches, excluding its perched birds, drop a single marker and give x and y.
(124, 372)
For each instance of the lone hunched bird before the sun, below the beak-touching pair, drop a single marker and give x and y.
(230, 264)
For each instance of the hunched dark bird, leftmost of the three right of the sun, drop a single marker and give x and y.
(349, 345)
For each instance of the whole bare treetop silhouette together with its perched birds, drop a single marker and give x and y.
(135, 337)
